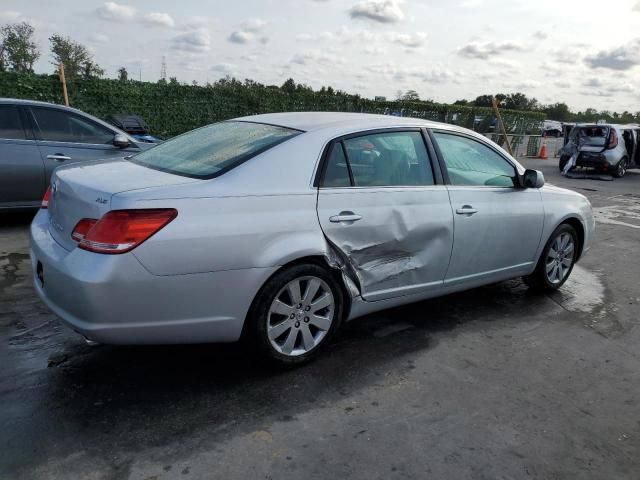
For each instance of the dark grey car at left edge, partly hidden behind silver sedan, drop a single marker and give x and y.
(36, 137)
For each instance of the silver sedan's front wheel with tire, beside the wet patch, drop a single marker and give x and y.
(556, 261)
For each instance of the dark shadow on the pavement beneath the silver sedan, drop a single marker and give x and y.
(154, 395)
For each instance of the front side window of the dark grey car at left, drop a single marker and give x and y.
(62, 126)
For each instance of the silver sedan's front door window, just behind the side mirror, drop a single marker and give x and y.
(471, 163)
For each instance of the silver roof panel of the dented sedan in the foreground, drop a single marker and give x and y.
(311, 121)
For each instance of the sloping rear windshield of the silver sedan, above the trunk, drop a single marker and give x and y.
(212, 150)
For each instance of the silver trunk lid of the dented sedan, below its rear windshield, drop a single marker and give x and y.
(85, 191)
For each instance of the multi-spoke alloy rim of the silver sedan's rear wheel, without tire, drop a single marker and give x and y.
(300, 315)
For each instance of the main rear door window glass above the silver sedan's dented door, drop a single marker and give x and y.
(389, 159)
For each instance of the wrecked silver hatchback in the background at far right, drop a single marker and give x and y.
(605, 147)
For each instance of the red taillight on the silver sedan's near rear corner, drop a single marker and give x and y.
(120, 231)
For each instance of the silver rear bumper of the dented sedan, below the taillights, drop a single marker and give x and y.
(114, 299)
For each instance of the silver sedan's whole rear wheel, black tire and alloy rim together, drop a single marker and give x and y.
(296, 313)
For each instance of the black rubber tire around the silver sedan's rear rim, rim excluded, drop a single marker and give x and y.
(262, 303)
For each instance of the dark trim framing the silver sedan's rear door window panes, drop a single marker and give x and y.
(324, 159)
